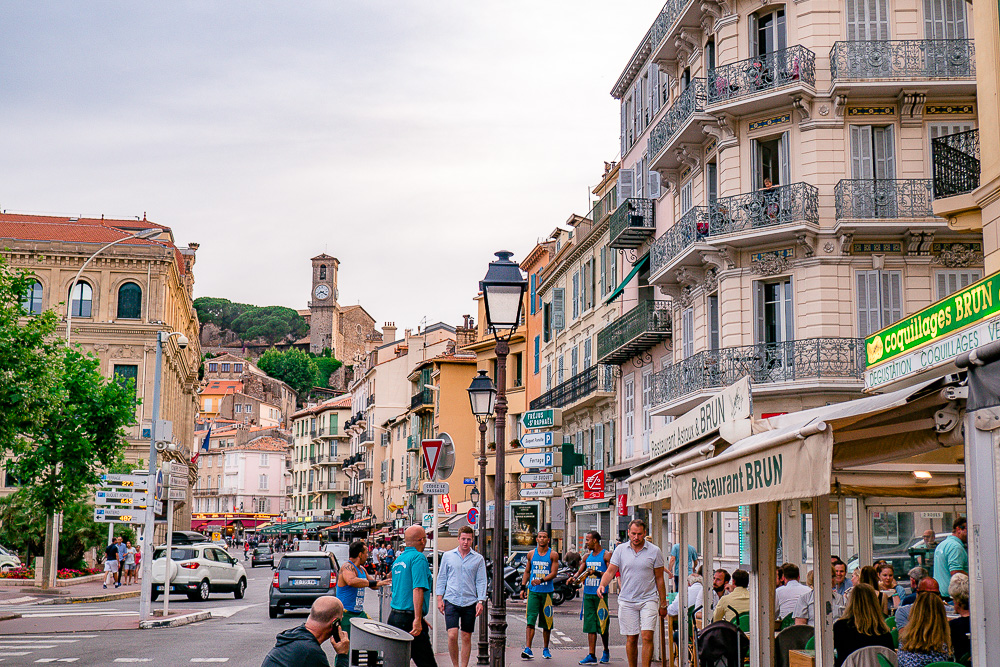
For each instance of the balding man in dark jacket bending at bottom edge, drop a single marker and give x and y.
(303, 646)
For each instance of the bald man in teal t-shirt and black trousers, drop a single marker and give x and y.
(411, 591)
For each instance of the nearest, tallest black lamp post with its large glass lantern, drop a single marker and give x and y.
(503, 291)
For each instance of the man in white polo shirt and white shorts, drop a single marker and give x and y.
(641, 566)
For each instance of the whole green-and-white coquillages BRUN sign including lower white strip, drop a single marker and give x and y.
(935, 335)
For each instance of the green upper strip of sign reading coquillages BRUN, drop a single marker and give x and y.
(961, 310)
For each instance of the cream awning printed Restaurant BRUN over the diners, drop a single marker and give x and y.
(832, 449)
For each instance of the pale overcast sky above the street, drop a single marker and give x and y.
(409, 138)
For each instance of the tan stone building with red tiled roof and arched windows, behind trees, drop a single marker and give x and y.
(127, 294)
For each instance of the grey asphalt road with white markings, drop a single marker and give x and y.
(240, 632)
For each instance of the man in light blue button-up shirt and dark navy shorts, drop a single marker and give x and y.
(462, 586)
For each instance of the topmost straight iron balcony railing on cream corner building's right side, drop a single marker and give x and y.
(903, 59)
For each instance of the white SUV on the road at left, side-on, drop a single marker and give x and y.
(198, 570)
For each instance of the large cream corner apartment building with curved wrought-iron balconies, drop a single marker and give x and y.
(776, 195)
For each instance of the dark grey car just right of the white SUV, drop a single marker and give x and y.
(299, 578)
